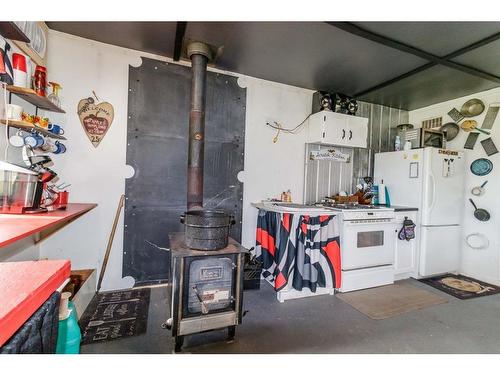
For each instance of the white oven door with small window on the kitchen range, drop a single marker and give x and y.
(368, 243)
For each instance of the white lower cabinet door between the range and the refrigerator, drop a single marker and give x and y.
(405, 259)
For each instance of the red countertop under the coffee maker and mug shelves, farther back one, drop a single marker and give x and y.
(16, 227)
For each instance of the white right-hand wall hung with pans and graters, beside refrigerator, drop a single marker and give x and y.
(481, 264)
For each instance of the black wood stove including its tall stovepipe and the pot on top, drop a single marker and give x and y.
(206, 279)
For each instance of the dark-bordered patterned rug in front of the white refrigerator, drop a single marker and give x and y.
(460, 286)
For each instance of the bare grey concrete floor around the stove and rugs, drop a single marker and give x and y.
(325, 324)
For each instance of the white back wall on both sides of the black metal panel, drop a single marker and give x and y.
(98, 174)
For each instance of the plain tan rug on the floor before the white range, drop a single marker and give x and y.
(390, 300)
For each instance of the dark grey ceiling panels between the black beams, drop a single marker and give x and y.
(319, 56)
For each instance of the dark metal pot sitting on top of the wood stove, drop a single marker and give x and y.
(207, 229)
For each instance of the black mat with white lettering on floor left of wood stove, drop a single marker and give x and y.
(115, 315)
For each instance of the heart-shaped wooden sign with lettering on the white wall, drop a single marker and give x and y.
(96, 119)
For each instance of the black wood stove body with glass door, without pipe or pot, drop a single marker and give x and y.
(205, 290)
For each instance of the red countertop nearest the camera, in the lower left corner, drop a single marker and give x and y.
(24, 287)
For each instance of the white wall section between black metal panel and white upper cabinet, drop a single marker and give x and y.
(271, 168)
